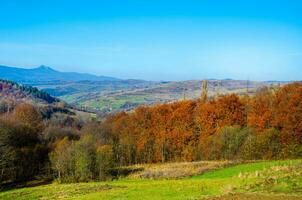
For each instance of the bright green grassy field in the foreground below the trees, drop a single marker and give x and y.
(260, 180)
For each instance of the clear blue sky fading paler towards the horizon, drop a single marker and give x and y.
(156, 40)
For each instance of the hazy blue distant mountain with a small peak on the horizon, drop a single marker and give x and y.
(44, 74)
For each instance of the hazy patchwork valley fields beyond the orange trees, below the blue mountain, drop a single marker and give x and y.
(107, 96)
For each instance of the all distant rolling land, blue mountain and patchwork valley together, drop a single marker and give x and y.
(108, 94)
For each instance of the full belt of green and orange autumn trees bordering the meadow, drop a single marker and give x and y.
(267, 125)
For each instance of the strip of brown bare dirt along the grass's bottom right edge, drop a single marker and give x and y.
(256, 197)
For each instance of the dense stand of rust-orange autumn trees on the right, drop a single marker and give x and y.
(265, 126)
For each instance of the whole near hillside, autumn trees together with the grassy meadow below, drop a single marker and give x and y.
(158, 152)
